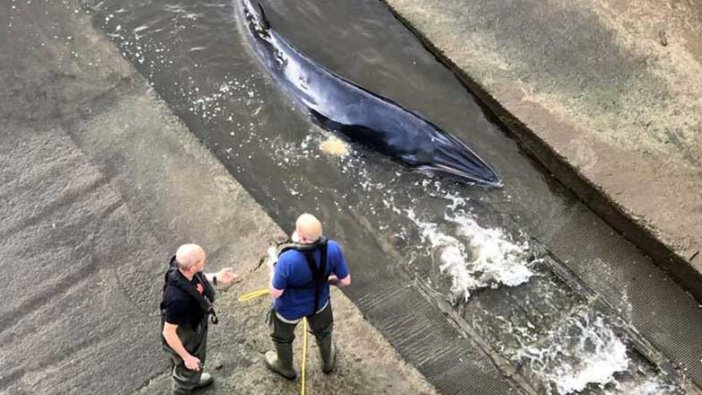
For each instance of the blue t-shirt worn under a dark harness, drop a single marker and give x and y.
(293, 275)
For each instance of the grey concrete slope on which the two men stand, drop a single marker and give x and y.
(99, 184)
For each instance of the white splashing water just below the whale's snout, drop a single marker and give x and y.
(482, 258)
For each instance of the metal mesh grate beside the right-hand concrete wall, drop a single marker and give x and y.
(643, 295)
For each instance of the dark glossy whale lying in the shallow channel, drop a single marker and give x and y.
(359, 115)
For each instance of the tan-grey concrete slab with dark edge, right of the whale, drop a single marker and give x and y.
(612, 89)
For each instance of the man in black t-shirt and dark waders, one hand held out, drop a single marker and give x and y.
(187, 305)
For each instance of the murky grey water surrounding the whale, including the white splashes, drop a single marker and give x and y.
(474, 246)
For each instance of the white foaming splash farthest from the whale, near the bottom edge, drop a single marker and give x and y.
(584, 351)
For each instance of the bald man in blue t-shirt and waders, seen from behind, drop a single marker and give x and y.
(300, 285)
